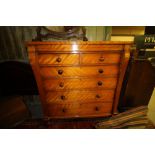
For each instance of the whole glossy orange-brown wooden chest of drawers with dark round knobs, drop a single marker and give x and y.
(79, 79)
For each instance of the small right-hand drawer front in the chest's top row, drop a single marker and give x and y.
(101, 58)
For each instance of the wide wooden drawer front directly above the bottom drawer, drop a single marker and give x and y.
(79, 96)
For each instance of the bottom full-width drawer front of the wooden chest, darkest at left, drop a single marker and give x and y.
(79, 110)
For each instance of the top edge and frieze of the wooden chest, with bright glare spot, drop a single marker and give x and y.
(75, 47)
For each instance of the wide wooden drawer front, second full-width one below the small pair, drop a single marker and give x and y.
(85, 83)
